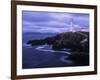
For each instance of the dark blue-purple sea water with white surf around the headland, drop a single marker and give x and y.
(35, 58)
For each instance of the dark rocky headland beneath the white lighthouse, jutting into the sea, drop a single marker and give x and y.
(77, 41)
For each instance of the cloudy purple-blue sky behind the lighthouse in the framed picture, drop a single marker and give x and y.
(53, 22)
